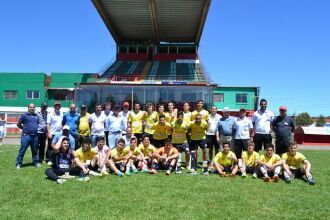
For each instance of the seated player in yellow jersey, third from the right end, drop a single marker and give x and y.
(248, 162)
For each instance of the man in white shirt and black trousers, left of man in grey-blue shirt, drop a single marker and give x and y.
(211, 137)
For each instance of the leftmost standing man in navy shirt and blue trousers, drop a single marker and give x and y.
(28, 122)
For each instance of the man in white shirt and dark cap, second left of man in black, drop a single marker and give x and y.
(243, 132)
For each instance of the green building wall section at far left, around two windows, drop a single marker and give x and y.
(21, 82)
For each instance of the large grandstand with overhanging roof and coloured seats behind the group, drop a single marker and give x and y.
(157, 43)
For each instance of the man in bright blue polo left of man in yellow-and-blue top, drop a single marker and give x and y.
(71, 119)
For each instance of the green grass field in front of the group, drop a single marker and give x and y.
(26, 193)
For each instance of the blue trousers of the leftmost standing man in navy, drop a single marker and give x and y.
(26, 141)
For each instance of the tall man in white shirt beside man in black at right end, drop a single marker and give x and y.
(262, 120)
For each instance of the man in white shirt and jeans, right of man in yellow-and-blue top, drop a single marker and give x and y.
(97, 123)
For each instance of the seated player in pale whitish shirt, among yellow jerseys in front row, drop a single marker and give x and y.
(101, 160)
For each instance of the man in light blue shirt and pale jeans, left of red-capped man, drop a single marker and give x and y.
(116, 126)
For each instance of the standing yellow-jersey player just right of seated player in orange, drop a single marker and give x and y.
(179, 139)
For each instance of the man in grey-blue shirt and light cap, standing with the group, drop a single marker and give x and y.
(225, 129)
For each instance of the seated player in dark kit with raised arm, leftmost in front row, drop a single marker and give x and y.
(62, 164)
